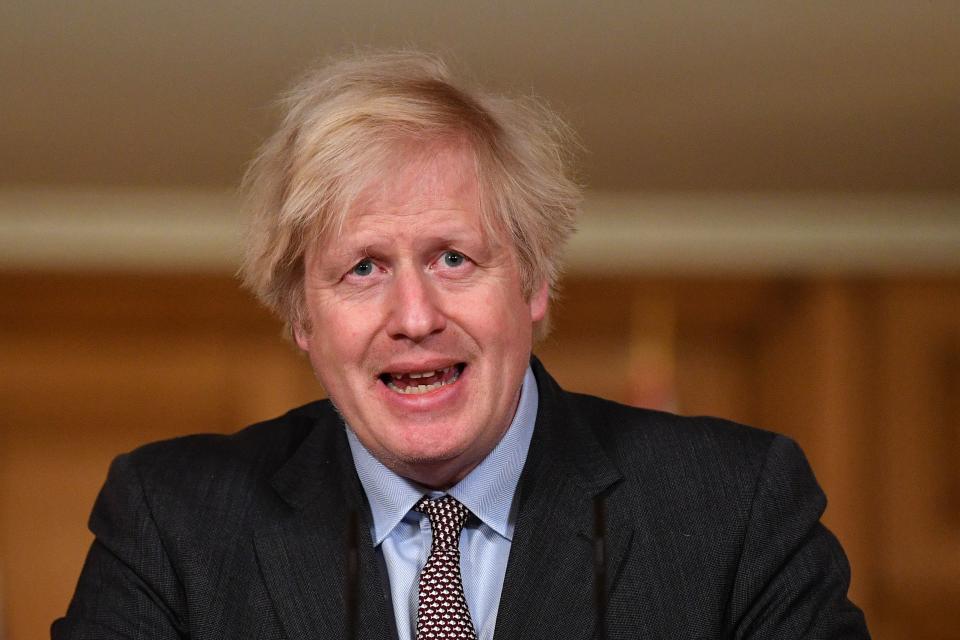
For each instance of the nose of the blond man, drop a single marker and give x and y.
(414, 306)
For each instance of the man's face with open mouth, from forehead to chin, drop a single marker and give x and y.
(420, 332)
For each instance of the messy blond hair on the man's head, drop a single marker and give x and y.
(348, 121)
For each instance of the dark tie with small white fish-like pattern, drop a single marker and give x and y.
(442, 613)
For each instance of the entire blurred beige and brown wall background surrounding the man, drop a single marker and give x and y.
(771, 233)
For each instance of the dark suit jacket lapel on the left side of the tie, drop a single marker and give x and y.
(303, 550)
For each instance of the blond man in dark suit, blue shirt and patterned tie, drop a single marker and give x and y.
(408, 232)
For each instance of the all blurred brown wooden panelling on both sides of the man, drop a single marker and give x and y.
(865, 374)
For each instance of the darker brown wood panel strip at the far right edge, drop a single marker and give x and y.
(919, 533)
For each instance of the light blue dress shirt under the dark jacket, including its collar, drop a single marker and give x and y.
(404, 535)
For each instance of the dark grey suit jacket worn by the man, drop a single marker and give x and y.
(712, 532)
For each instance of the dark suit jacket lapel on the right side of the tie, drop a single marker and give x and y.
(548, 587)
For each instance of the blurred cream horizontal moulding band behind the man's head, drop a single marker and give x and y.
(178, 230)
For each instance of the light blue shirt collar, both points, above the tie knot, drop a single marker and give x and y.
(487, 490)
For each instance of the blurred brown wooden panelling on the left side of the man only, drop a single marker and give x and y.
(93, 367)
